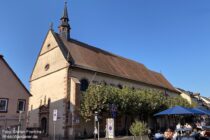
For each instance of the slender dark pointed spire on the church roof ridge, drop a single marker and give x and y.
(64, 27)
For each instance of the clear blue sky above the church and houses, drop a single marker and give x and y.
(167, 36)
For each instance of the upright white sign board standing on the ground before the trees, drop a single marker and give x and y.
(110, 128)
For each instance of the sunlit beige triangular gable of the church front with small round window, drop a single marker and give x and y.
(50, 58)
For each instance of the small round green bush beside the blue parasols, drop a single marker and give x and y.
(138, 129)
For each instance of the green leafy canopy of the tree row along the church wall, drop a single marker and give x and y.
(128, 101)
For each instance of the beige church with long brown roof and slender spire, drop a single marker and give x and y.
(65, 67)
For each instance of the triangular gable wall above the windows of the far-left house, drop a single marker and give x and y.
(10, 84)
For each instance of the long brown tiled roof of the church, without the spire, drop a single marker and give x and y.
(91, 58)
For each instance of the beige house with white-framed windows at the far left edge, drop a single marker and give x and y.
(14, 97)
